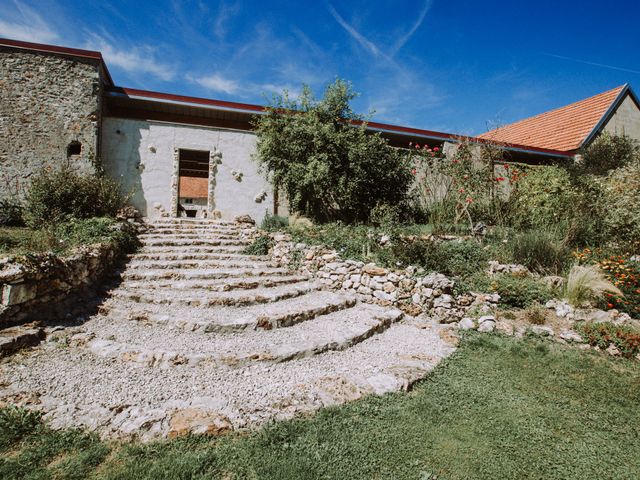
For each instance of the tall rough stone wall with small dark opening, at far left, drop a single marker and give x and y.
(47, 101)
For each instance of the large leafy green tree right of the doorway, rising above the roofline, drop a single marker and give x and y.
(319, 153)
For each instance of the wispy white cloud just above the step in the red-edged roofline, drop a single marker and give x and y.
(133, 60)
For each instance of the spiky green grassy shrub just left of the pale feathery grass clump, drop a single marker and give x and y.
(539, 251)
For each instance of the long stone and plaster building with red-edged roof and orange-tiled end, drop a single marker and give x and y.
(186, 156)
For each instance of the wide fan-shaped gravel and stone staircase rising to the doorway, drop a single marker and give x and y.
(199, 337)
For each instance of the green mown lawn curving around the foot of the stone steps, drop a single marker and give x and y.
(499, 408)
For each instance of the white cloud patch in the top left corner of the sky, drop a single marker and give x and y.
(24, 23)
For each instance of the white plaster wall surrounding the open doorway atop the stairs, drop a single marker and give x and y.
(141, 157)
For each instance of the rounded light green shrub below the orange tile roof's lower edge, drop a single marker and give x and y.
(544, 198)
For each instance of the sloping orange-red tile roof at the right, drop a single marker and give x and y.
(563, 129)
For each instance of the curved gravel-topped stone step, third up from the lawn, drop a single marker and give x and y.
(265, 316)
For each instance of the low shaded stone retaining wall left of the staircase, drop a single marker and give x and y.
(33, 286)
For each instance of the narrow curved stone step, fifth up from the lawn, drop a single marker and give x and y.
(218, 285)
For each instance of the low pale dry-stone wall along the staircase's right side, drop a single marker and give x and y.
(408, 289)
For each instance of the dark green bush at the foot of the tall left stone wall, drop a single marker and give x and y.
(56, 196)
